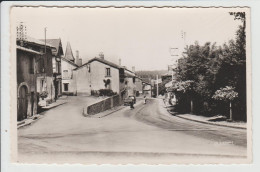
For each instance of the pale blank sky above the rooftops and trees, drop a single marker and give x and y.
(140, 37)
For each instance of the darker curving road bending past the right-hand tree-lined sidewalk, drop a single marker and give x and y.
(153, 114)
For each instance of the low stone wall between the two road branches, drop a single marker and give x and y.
(101, 106)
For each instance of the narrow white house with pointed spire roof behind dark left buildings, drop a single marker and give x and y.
(67, 67)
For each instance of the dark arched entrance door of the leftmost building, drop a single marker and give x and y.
(23, 104)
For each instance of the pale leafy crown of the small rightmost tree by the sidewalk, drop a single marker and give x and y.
(226, 94)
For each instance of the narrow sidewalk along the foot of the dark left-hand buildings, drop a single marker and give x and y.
(62, 100)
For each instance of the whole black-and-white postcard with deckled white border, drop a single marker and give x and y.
(130, 85)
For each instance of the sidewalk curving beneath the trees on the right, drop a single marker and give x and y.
(208, 120)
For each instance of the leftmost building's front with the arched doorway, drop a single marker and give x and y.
(26, 82)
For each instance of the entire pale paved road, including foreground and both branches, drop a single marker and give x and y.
(148, 132)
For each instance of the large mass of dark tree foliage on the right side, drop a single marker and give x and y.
(211, 67)
